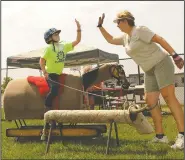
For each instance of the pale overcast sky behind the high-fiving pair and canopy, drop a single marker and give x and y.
(23, 24)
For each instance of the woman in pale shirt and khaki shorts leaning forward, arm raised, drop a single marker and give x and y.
(141, 45)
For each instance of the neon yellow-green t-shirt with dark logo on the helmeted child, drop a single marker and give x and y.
(55, 60)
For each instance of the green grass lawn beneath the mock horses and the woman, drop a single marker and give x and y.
(132, 145)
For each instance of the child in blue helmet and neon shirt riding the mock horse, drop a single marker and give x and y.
(52, 61)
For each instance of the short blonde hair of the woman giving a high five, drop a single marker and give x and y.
(128, 16)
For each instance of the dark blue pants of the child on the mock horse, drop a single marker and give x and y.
(54, 89)
